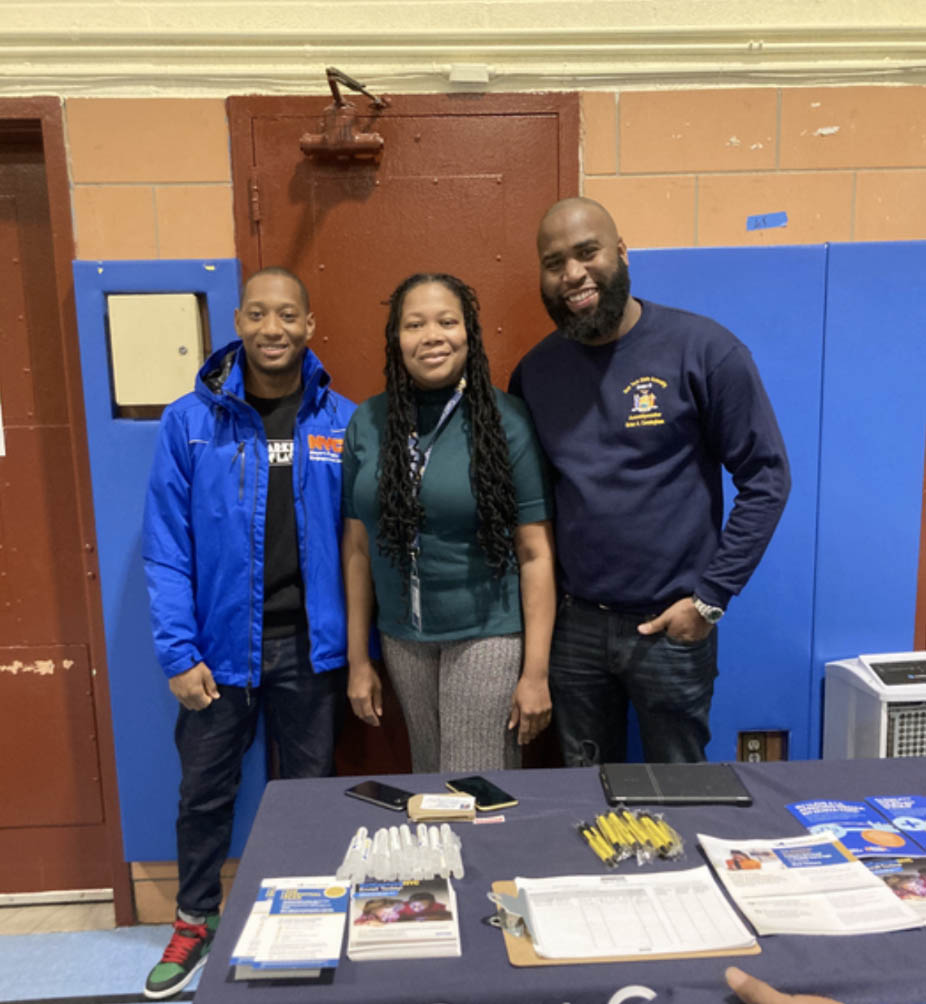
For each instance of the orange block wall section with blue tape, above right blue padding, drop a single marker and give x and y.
(688, 168)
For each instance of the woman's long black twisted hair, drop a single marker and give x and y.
(401, 512)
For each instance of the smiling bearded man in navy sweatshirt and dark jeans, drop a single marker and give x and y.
(639, 408)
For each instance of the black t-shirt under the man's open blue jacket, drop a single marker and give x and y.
(285, 597)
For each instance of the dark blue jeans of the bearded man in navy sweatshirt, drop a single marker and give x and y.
(600, 665)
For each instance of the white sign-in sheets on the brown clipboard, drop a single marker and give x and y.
(644, 914)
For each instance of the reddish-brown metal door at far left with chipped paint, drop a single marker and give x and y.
(53, 834)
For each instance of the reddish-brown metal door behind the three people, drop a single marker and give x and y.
(461, 187)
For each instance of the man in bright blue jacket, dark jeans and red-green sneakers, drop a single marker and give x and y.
(243, 523)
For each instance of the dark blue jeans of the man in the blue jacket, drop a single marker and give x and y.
(303, 713)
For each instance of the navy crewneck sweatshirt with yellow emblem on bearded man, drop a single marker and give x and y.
(638, 432)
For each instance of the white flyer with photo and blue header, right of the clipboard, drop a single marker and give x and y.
(806, 886)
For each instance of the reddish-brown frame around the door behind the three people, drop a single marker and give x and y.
(241, 110)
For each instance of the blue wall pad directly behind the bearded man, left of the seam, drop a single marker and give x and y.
(773, 300)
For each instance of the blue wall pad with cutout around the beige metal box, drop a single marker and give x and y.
(121, 456)
